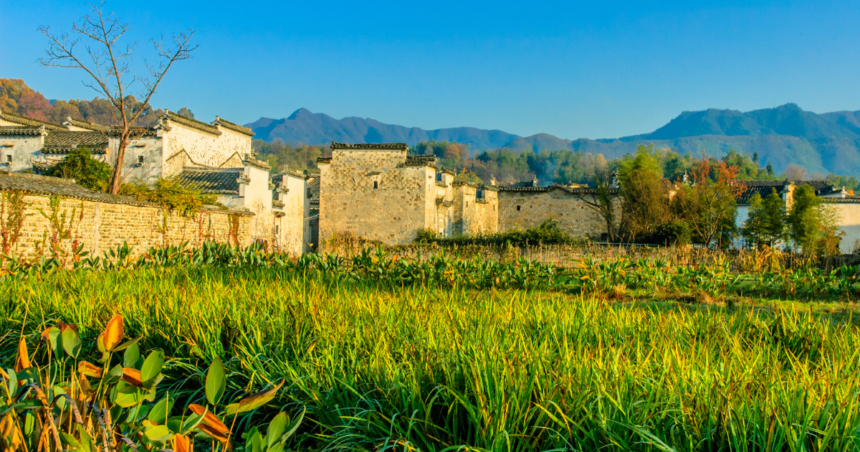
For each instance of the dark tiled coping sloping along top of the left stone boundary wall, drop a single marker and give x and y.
(45, 185)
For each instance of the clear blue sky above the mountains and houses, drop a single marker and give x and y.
(596, 69)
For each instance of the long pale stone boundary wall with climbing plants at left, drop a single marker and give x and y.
(54, 225)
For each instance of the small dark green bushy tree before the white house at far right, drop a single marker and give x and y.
(766, 222)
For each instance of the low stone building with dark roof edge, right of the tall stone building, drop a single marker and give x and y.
(525, 205)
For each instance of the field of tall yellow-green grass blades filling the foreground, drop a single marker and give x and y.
(421, 367)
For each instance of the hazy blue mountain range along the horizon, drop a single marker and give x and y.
(823, 143)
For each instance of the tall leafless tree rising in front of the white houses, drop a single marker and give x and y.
(106, 61)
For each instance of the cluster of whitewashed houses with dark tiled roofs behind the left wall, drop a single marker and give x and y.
(216, 158)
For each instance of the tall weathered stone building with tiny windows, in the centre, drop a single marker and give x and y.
(379, 192)
